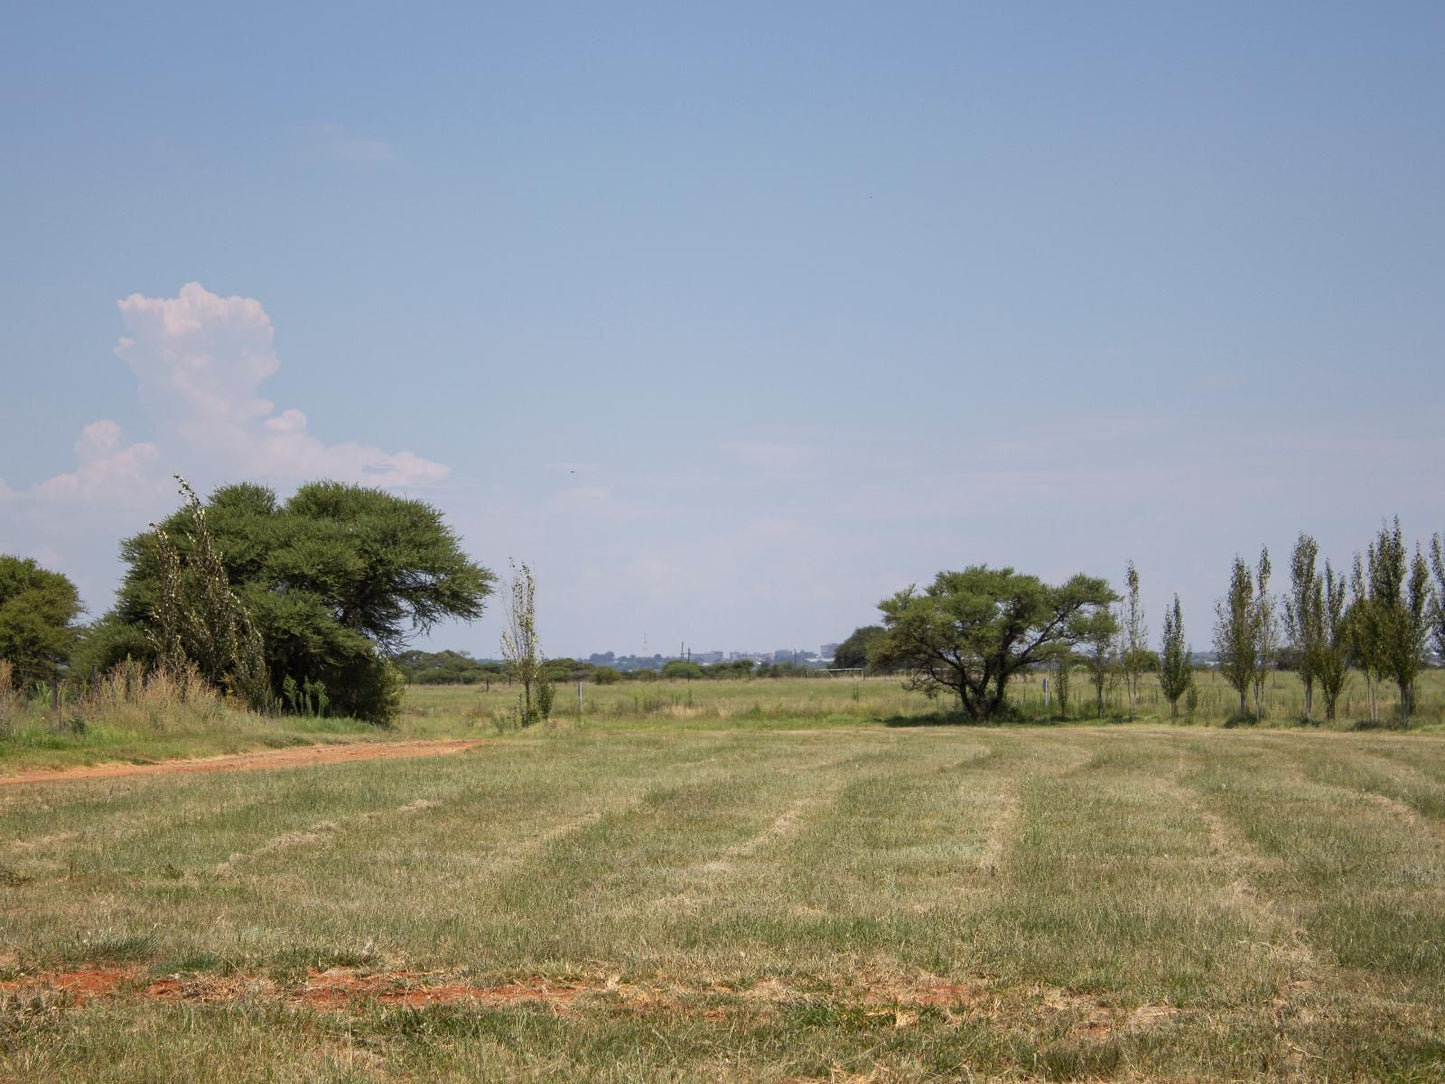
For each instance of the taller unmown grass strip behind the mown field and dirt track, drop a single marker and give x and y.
(167, 722)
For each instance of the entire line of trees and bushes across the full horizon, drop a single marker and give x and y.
(307, 606)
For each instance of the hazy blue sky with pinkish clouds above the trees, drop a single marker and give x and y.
(733, 322)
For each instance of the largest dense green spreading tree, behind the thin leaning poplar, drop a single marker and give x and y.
(336, 579)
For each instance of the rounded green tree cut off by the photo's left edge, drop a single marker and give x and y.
(38, 612)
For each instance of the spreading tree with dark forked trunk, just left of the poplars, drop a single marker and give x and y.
(970, 632)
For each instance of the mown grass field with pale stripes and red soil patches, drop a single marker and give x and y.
(771, 888)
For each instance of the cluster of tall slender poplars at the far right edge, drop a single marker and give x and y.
(1381, 621)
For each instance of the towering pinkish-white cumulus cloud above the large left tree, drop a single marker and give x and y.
(200, 362)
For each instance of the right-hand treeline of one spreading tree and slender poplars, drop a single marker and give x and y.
(967, 634)
